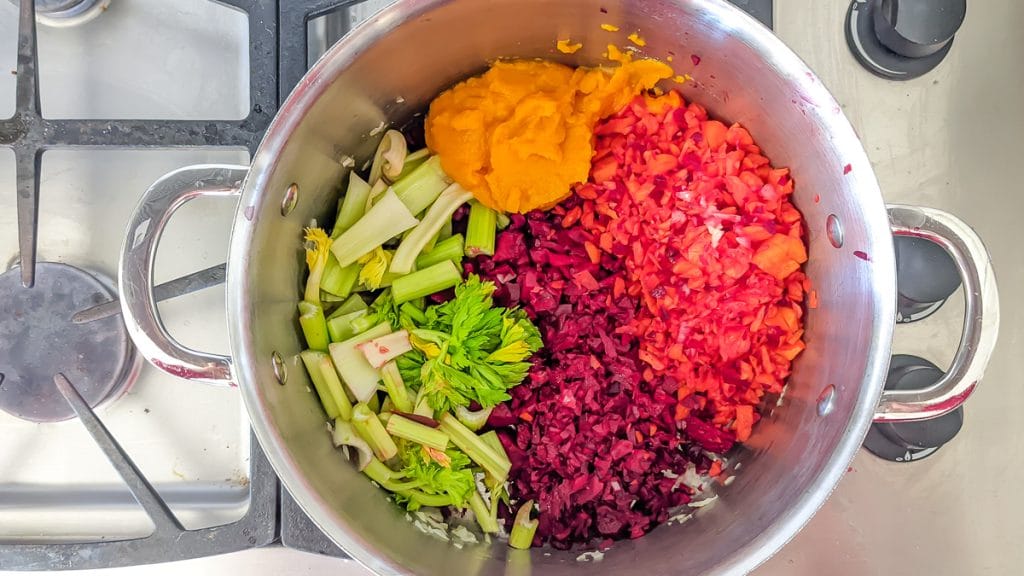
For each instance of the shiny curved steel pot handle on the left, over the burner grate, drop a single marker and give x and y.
(136, 276)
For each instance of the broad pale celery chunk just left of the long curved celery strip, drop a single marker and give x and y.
(388, 219)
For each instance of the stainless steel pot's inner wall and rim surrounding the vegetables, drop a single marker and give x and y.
(392, 69)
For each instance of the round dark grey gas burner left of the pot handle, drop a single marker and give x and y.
(38, 340)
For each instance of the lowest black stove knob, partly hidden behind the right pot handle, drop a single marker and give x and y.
(909, 442)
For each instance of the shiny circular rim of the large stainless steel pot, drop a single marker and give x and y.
(781, 59)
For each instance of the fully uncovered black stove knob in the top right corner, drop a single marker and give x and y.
(903, 39)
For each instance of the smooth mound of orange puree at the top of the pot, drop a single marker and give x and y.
(522, 135)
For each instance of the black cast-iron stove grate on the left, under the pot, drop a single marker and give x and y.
(278, 57)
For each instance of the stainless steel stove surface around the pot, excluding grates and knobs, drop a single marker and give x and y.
(947, 140)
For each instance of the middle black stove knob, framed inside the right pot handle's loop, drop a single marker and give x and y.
(926, 277)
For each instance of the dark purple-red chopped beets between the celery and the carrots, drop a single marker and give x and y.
(590, 441)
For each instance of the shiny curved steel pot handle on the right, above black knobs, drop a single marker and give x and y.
(982, 317)
